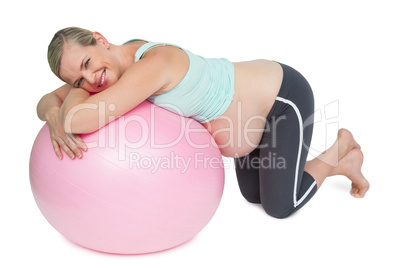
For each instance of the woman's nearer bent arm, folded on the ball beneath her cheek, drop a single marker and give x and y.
(82, 113)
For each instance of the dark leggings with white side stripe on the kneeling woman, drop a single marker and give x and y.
(273, 174)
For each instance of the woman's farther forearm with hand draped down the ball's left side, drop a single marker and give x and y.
(48, 109)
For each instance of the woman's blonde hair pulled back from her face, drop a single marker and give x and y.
(55, 50)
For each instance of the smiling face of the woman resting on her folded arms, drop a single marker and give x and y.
(93, 68)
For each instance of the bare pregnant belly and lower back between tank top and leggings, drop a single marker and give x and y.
(239, 130)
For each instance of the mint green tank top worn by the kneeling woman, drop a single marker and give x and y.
(204, 93)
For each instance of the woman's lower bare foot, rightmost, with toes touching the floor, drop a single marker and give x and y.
(350, 166)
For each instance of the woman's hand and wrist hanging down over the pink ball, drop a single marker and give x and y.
(71, 144)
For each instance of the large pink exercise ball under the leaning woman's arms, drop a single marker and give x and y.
(150, 181)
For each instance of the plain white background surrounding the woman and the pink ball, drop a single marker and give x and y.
(350, 51)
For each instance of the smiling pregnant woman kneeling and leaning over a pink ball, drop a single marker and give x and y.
(256, 111)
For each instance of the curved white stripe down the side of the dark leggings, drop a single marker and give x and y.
(295, 201)
